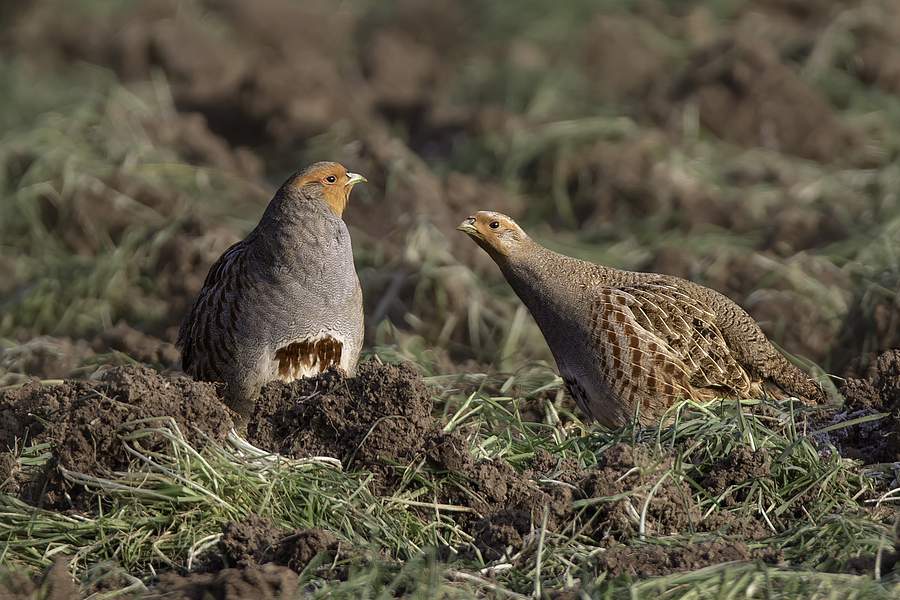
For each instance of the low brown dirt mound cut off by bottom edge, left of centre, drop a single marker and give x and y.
(269, 582)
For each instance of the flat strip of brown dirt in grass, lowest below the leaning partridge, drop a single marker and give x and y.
(651, 560)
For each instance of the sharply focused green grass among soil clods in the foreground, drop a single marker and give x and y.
(171, 505)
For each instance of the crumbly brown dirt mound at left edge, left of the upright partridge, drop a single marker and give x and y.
(82, 420)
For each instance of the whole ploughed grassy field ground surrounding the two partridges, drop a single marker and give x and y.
(750, 145)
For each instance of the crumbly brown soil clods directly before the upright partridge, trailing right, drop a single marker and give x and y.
(382, 417)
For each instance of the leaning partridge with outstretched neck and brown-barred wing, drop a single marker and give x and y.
(629, 343)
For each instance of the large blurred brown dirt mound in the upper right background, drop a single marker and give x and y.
(746, 95)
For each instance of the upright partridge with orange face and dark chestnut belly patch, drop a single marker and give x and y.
(285, 302)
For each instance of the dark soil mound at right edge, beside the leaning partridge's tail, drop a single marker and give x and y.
(875, 389)
